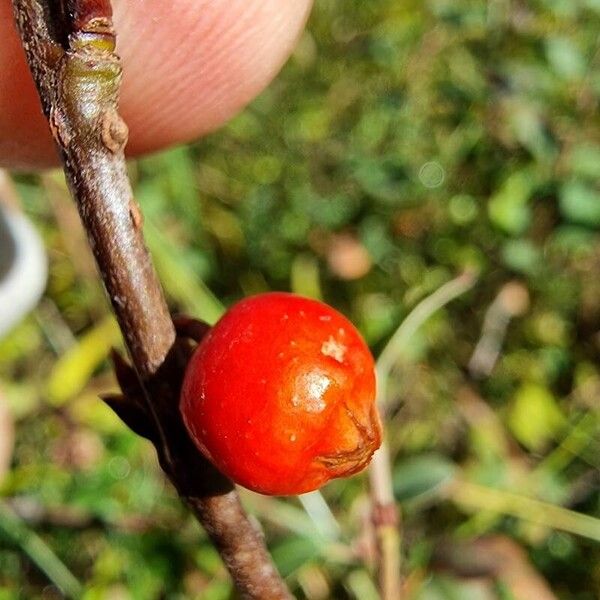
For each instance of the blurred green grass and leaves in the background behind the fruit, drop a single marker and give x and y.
(422, 138)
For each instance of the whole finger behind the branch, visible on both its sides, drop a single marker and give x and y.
(189, 65)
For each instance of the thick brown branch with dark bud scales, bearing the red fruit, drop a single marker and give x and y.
(69, 46)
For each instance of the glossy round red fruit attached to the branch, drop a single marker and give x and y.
(280, 395)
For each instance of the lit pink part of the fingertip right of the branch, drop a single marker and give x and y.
(212, 61)
